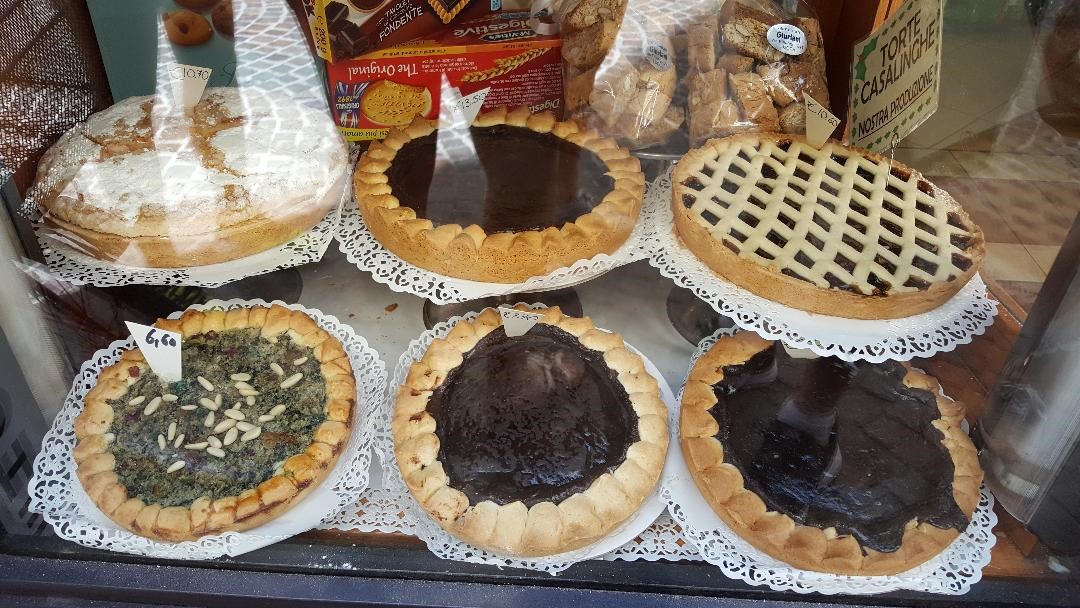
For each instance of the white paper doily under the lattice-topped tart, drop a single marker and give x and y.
(956, 322)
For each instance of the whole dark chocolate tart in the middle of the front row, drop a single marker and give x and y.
(532, 445)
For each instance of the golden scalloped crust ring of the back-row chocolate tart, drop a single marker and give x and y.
(470, 252)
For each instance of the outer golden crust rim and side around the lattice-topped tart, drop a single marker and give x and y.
(769, 283)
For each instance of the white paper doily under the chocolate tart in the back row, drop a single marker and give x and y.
(361, 248)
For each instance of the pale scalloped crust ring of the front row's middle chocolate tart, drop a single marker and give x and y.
(546, 529)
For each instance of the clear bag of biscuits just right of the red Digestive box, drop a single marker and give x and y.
(626, 92)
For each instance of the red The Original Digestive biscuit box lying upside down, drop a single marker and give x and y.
(389, 88)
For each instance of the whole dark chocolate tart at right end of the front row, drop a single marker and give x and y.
(850, 469)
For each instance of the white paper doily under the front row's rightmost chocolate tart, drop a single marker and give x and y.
(951, 573)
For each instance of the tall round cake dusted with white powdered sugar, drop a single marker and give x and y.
(147, 185)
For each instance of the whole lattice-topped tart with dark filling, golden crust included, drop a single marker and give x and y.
(836, 231)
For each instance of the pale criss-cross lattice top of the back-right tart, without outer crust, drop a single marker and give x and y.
(833, 218)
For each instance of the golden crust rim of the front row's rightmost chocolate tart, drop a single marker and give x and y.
(776, 534)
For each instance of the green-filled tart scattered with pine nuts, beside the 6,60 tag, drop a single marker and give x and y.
(258, 422)
